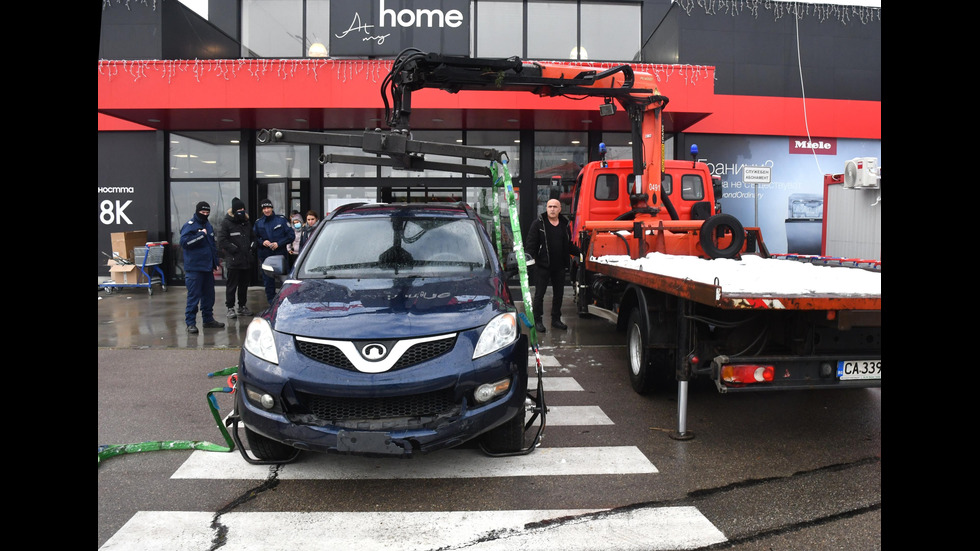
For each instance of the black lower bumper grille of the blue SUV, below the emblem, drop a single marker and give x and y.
(335, 409)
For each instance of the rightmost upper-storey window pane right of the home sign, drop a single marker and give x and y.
(598, 43)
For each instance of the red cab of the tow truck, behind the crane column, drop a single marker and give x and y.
(602, 192)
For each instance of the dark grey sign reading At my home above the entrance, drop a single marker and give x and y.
(386, 27)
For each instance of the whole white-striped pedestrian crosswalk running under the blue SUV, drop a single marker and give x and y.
(632, 528)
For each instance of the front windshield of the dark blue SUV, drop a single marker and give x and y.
(395, 246)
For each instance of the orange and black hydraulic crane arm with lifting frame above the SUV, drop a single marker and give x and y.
(413, 70)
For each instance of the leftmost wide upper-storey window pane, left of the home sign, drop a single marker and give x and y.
(272, 28)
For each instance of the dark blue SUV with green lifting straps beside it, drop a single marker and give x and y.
(394, 333)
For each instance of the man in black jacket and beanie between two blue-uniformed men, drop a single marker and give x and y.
(235, 244)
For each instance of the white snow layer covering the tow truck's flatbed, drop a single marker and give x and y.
(756, 275)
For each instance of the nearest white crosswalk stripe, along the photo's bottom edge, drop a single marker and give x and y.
(566, 530)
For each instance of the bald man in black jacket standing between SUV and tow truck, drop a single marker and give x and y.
(549, 242)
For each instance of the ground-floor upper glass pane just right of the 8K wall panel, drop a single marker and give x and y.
(204, 155)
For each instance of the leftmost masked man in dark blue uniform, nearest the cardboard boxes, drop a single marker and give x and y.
(197, 242)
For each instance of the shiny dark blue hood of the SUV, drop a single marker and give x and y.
(351, 309)
